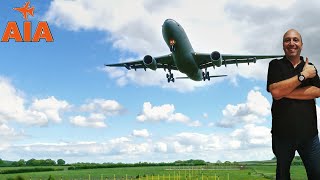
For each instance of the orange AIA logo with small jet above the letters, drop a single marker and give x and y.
(12, 30)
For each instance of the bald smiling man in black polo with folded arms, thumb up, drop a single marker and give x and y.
(294, 85)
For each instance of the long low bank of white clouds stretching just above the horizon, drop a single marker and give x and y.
(241, 144)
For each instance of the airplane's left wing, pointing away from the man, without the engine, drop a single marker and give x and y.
(165, 62)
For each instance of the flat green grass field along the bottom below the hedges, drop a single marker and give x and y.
(250, 172)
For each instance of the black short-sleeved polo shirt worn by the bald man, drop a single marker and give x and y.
(292, 118)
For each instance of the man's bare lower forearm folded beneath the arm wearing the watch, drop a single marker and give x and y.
(305, 93)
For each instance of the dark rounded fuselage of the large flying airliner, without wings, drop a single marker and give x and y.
(175, 37)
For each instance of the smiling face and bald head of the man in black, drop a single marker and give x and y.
(292, 44)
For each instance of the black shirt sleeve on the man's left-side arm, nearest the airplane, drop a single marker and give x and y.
(274, 73)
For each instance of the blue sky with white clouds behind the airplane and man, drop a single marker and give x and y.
(59, 101)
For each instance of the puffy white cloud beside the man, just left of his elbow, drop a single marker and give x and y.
(255, 110)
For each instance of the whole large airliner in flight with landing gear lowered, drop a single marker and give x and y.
(184, 59)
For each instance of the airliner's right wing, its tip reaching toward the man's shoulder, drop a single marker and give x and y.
(204, 60)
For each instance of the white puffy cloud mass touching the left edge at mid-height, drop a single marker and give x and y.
(13, 107)
